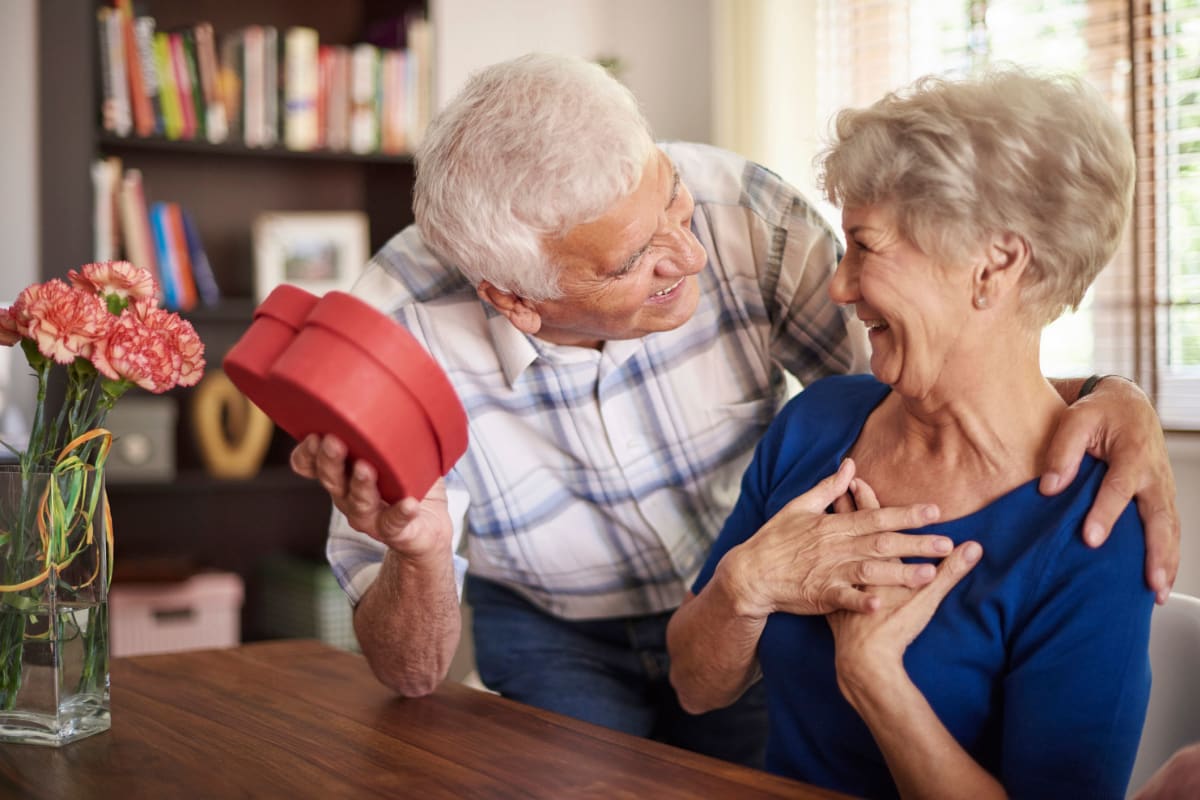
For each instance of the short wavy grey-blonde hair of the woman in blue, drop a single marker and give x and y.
(1041, 157)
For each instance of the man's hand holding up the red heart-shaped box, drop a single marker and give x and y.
(410, 527)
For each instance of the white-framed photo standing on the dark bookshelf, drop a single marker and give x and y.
(316, 251)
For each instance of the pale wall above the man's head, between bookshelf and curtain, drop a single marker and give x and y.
(663, 45)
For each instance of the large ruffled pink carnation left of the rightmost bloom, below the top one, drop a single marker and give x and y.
(63, 321)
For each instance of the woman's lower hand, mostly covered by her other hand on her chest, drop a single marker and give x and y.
(871, 647)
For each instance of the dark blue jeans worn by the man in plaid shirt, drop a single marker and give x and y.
(610, 672)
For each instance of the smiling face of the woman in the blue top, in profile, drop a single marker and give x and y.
(916, 310)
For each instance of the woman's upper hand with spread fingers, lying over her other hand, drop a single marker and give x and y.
(808, 562)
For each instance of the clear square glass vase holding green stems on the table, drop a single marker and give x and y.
(55, 568)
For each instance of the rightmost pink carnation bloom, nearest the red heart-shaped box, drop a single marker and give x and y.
(152, 348)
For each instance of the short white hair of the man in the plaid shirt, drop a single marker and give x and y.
(530, 149)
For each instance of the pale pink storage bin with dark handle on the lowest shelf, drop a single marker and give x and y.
(199, 613)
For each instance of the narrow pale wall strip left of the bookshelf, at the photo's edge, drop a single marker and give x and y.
(19, 177)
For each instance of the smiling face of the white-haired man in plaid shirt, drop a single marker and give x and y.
(631, 273)
